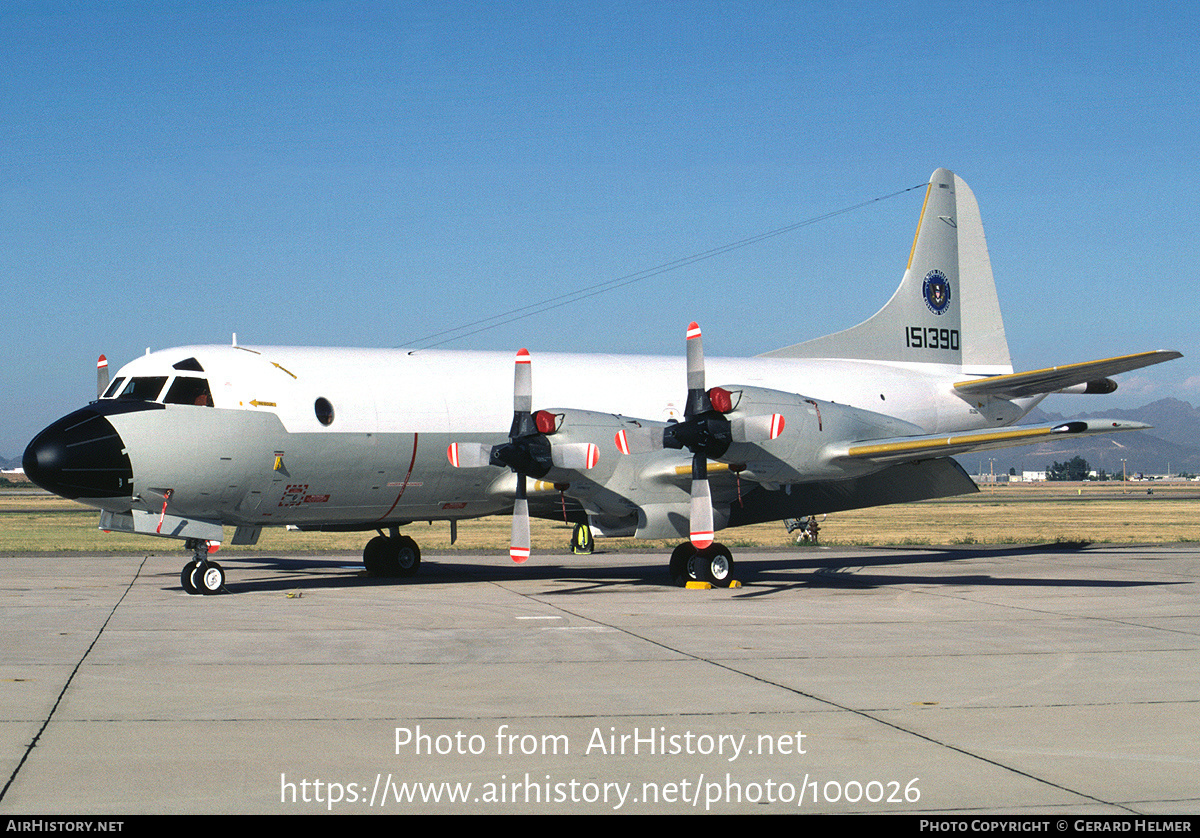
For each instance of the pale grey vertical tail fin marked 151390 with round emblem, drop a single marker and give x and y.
(946, 309)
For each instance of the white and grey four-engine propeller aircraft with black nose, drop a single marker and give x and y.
(183, 444)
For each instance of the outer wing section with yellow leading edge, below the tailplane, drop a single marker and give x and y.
(899, 450)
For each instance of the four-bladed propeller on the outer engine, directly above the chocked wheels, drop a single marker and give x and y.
(706, 433)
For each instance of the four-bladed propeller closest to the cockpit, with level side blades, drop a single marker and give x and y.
(529, 452)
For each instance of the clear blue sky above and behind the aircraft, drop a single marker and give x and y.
(370, 173)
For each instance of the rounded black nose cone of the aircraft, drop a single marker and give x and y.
(81, 456)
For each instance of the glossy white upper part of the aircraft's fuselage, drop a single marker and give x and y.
(397, 392)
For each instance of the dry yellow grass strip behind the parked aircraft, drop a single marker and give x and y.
(1036, 513)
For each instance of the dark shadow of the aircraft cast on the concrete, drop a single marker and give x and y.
(760, 577)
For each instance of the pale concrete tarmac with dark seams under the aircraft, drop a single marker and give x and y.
(1048, 680)
